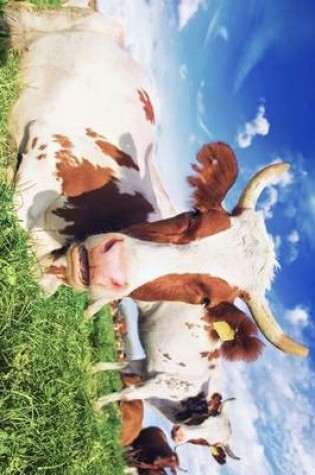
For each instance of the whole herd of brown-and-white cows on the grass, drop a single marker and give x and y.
(89, 192)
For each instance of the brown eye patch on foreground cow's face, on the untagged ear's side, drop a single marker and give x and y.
(183, 228)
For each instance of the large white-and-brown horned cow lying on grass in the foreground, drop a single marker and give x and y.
(84, 128)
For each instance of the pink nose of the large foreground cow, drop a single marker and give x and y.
(107, 264)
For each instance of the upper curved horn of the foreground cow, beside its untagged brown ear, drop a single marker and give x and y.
(257, 184)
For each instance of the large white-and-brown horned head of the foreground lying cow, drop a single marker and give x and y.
(205, 256)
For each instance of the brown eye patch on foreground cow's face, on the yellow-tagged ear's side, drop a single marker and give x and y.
(189, 288)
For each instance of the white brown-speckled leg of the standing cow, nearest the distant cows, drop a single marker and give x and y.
(161, 385)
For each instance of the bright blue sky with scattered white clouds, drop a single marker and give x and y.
(244, 72)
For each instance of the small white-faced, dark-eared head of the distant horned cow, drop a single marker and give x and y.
(212, 430)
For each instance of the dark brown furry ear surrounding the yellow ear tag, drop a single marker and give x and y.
(245, 346)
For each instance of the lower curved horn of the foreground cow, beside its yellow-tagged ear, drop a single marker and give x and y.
(270, 328)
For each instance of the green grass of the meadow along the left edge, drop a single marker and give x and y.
(47, 424)
